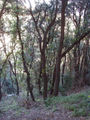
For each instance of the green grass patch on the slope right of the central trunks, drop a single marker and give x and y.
(78, 103)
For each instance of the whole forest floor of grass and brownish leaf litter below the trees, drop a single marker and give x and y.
(76, 106)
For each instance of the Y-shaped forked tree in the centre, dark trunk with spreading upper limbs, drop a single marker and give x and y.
(43, 41)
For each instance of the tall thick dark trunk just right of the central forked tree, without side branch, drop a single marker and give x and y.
(59, 56)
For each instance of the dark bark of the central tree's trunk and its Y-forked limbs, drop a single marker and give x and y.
(44, 46)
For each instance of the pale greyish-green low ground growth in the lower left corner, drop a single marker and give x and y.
(11, 104)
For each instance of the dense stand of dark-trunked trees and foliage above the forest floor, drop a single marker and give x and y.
(45, 48)
